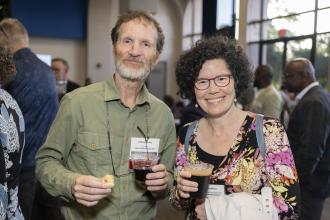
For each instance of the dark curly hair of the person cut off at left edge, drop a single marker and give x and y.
(7, 66)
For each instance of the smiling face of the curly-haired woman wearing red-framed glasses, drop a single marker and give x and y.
(218, 98)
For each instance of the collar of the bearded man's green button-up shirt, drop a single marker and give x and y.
(111, 92)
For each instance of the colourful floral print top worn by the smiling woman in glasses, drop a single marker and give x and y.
(245, 170)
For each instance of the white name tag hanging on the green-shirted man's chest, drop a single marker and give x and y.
(139, 145)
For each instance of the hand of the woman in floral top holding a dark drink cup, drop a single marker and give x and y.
(184, 185)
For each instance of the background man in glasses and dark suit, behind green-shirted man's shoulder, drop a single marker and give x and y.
(61, 68)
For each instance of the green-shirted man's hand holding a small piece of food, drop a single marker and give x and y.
(89, 190)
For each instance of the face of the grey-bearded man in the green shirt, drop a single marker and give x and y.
(135, 51)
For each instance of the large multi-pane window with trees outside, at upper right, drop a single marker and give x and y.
(280, 30)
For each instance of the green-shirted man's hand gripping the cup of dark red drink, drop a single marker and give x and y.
(158, 179)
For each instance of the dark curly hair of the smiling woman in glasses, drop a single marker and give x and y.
(216, 47)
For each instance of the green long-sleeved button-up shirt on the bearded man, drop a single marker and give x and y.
(77, 143)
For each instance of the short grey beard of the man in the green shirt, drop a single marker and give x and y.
(132, 74)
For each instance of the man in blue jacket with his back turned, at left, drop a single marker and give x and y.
(34, 90)
